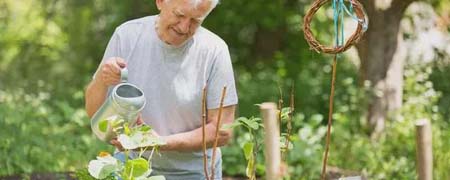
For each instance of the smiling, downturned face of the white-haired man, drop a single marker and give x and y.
(179, 19)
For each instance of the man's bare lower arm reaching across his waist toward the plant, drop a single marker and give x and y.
(192, 140)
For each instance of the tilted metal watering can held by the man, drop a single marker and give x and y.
(123, 104)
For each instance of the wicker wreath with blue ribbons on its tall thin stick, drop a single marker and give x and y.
(356, 11)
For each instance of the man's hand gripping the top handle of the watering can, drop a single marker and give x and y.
(109, 72)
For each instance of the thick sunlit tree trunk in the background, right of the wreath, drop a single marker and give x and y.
(382, 58)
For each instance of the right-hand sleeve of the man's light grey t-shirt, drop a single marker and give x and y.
(221, 75)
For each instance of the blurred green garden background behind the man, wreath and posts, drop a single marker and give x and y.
(397, 74)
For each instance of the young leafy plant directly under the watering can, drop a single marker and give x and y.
(137, 138)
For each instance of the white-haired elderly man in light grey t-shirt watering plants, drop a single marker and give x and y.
(171, 58)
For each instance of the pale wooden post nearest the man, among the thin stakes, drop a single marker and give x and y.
(271, 140)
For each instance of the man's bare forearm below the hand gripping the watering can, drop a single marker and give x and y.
(95, 96)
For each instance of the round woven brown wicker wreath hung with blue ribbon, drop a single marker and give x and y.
(314, 44)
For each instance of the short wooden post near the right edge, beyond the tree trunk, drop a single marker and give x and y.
(424, 150)
